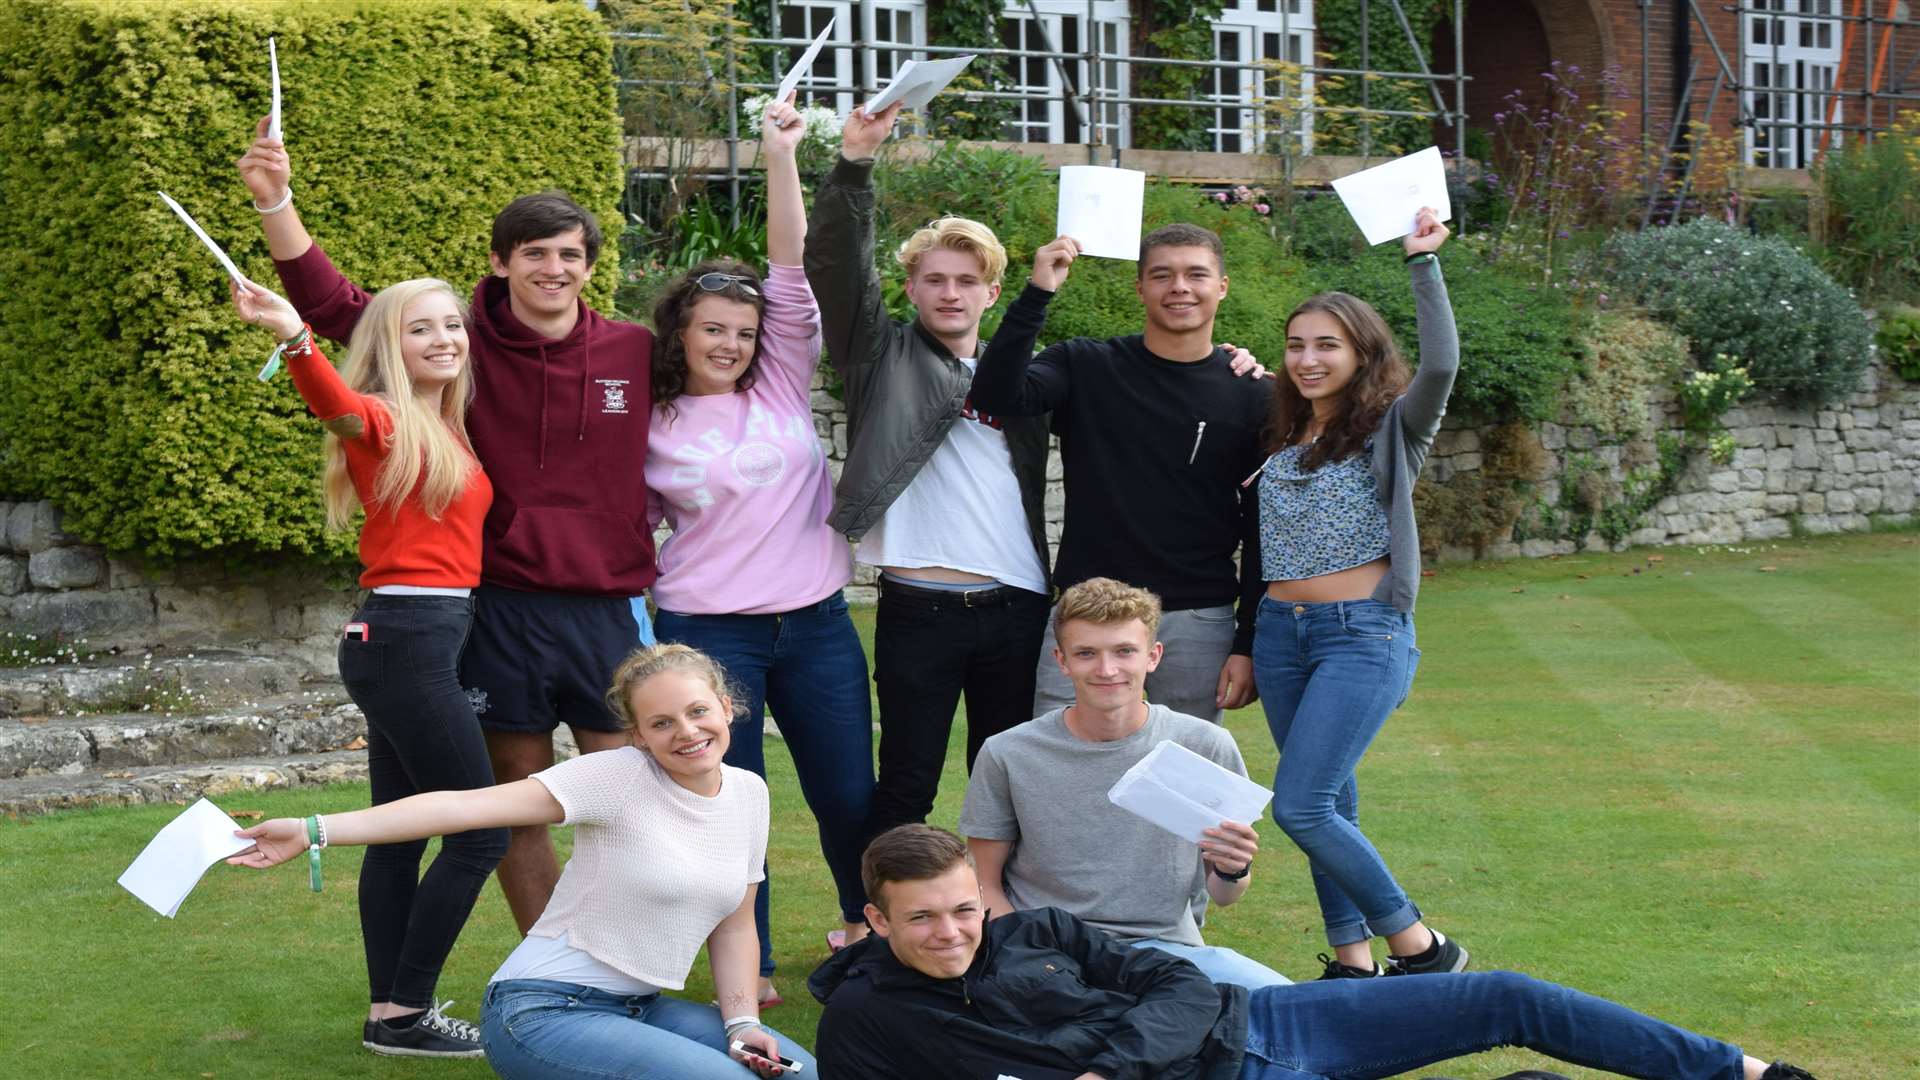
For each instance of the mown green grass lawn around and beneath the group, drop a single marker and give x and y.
(1687, 781)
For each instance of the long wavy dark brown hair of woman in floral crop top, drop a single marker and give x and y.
(1380, 378)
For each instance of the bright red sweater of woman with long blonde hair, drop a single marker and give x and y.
(400, 545)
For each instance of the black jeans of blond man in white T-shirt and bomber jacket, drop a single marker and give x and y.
(932, 647)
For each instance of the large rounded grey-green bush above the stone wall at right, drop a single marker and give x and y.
(1754, 299)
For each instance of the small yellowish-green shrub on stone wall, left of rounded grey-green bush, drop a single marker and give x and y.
(1623, 360)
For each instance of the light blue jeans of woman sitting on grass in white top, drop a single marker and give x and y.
(537, 1029)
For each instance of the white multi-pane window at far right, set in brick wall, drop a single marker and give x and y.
(1790, 59)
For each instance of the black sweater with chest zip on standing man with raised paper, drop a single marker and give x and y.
(1155, 454)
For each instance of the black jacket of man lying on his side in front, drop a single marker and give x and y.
(1047, 998)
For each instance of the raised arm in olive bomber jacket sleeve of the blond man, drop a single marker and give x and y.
(840, 262)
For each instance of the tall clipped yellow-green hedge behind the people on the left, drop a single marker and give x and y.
(128, 387)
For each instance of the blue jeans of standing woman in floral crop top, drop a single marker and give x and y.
(1330, 675)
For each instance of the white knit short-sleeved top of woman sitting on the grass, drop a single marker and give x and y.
(656, 866)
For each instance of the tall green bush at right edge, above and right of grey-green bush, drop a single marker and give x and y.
(1873, 209)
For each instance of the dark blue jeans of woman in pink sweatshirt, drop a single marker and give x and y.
(807, 666)
